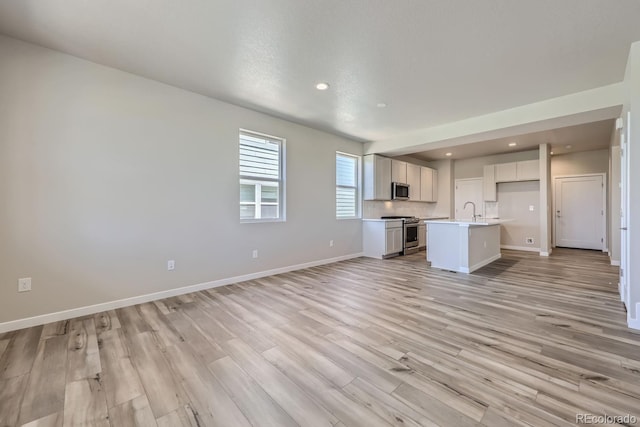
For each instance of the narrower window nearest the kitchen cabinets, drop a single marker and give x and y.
(347, 186)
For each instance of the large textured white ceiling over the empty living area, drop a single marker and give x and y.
(430, 61)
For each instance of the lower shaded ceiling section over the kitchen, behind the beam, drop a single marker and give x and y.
(570, 139)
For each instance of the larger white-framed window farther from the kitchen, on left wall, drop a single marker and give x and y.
(261, 177)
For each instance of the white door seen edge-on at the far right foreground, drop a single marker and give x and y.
(624, 203)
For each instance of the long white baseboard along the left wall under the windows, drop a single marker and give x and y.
(111, 305)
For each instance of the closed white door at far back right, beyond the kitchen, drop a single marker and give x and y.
(580, 209)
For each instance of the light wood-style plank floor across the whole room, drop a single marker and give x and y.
(524, 341)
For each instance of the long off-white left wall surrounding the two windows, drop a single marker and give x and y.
(104, 176)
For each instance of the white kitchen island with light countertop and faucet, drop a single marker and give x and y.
(463, 245)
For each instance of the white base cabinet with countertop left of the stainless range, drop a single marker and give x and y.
(382, 239)
